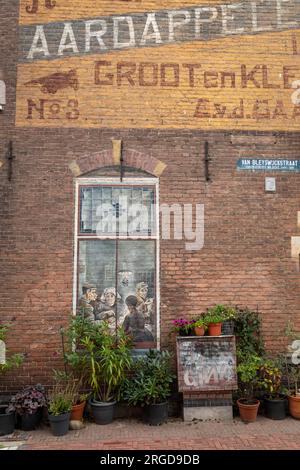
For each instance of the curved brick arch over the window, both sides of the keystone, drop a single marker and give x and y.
(90, 162)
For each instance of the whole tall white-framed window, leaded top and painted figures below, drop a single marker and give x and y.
(116, 259)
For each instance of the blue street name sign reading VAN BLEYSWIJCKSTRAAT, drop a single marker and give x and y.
(256, 164)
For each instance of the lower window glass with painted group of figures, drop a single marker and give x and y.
(128, 301)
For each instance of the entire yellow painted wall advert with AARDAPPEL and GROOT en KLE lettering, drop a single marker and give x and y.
(162, 64)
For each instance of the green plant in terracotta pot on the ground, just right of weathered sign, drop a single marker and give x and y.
(248, 378)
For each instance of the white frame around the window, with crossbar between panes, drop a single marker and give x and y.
(116, 182)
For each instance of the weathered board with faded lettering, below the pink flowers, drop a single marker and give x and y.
(206, 363)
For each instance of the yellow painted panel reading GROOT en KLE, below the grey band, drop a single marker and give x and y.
(165, 87)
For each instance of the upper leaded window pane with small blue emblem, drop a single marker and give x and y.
(119, 210)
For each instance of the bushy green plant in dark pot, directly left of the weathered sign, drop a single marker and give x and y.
(150, 386)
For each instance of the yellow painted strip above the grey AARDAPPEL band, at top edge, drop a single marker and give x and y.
(41, 11)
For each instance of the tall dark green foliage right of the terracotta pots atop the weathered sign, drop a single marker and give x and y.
(248, 333)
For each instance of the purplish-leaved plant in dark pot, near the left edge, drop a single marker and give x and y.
(27, 406)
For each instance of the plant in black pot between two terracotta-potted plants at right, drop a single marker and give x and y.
(270, 379)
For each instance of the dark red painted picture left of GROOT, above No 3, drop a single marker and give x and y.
(57, 81)
